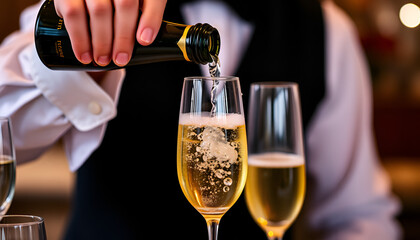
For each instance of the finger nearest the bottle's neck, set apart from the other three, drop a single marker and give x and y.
(150, 21)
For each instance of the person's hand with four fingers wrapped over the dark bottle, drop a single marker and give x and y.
(104, 30)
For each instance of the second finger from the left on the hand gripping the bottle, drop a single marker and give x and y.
(101, 29)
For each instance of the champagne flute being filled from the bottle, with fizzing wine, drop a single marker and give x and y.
(212, 147)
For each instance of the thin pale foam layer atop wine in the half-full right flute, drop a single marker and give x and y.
(275, 160)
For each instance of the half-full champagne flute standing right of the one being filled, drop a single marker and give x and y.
(275, 186)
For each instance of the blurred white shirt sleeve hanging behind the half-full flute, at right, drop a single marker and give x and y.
(350, 196)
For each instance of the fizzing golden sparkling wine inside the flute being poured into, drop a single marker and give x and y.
(212, 156)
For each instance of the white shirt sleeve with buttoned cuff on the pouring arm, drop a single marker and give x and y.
(46, 105)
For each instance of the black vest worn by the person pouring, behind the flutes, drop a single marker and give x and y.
(128, 188)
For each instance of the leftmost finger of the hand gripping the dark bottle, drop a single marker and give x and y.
(73, 13)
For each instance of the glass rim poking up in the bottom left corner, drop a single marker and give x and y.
(17, 227)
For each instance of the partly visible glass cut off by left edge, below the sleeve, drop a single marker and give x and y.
(7, 166)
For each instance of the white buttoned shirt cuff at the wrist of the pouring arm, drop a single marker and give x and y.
(75, 93)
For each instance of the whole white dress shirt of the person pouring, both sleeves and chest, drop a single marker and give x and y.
(351, 199)
